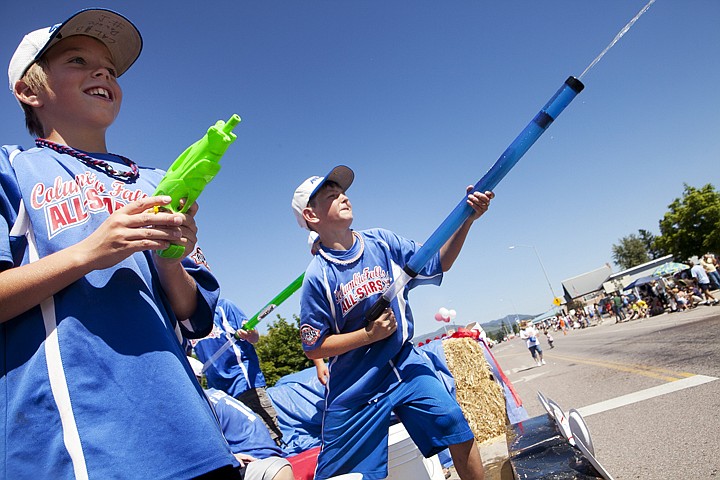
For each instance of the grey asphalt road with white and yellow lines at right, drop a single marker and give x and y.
(647, 389)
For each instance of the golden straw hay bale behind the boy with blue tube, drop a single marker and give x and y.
(481, 398)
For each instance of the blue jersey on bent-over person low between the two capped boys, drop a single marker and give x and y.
(243, 429)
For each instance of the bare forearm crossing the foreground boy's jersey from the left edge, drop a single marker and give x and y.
(24, 287)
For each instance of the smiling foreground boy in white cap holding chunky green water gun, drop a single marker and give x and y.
(93, 377)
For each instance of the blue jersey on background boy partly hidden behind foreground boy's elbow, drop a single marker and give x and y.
(238, 368)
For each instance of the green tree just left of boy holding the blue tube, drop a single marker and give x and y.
(280, 351)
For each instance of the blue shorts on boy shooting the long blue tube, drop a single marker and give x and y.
(356, 439)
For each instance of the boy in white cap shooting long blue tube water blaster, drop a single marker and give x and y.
(374, 368)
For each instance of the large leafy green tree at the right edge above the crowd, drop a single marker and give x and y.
(692, 226)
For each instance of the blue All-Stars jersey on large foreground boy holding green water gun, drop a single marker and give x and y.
(94, 381)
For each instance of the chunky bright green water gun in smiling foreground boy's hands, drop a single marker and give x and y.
(193, 170)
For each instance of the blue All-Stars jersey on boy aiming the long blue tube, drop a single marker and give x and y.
(334, 300)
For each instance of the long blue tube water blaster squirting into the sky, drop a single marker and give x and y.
(488, 182)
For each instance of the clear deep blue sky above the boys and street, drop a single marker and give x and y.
(419, 98)
